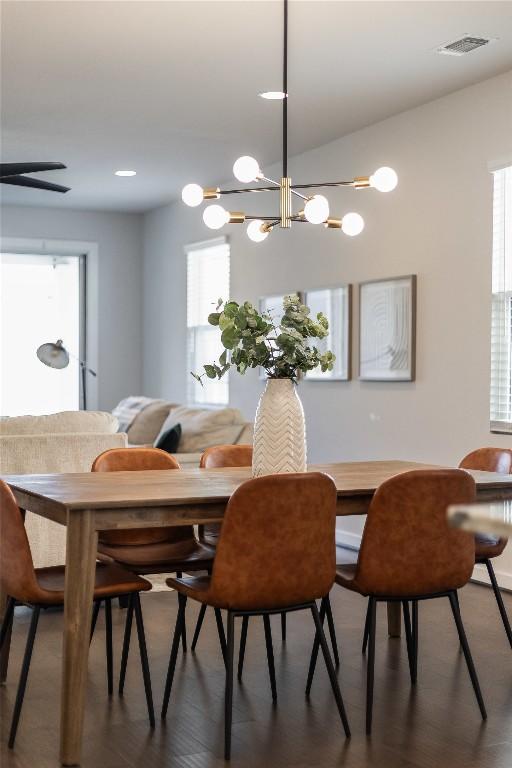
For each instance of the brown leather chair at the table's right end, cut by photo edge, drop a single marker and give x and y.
(488, 547)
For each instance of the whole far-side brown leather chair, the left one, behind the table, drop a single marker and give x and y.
(172, 549)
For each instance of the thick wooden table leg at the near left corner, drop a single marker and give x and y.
(81, 548)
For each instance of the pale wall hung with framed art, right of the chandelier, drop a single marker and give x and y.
(437, 224)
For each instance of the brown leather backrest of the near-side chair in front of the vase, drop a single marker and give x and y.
(277, 545)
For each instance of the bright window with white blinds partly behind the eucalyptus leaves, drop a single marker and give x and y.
(207, 281)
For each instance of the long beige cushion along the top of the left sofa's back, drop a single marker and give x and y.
(65, 422)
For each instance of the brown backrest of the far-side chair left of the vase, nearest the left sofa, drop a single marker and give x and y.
(139, 459)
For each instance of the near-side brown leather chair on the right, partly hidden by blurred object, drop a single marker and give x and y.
(408, 553)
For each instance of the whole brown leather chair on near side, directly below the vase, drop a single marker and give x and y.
(271, 524)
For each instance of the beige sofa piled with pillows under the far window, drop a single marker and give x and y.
(200, 428)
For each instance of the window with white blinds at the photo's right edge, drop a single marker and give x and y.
(501, 327)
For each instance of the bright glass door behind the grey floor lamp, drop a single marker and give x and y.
(41, 300)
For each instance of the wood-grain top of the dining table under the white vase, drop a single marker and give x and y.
(109, 490)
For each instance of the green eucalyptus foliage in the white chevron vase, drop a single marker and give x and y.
(251, 339)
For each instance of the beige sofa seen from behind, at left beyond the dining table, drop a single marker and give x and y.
(60, 442)
